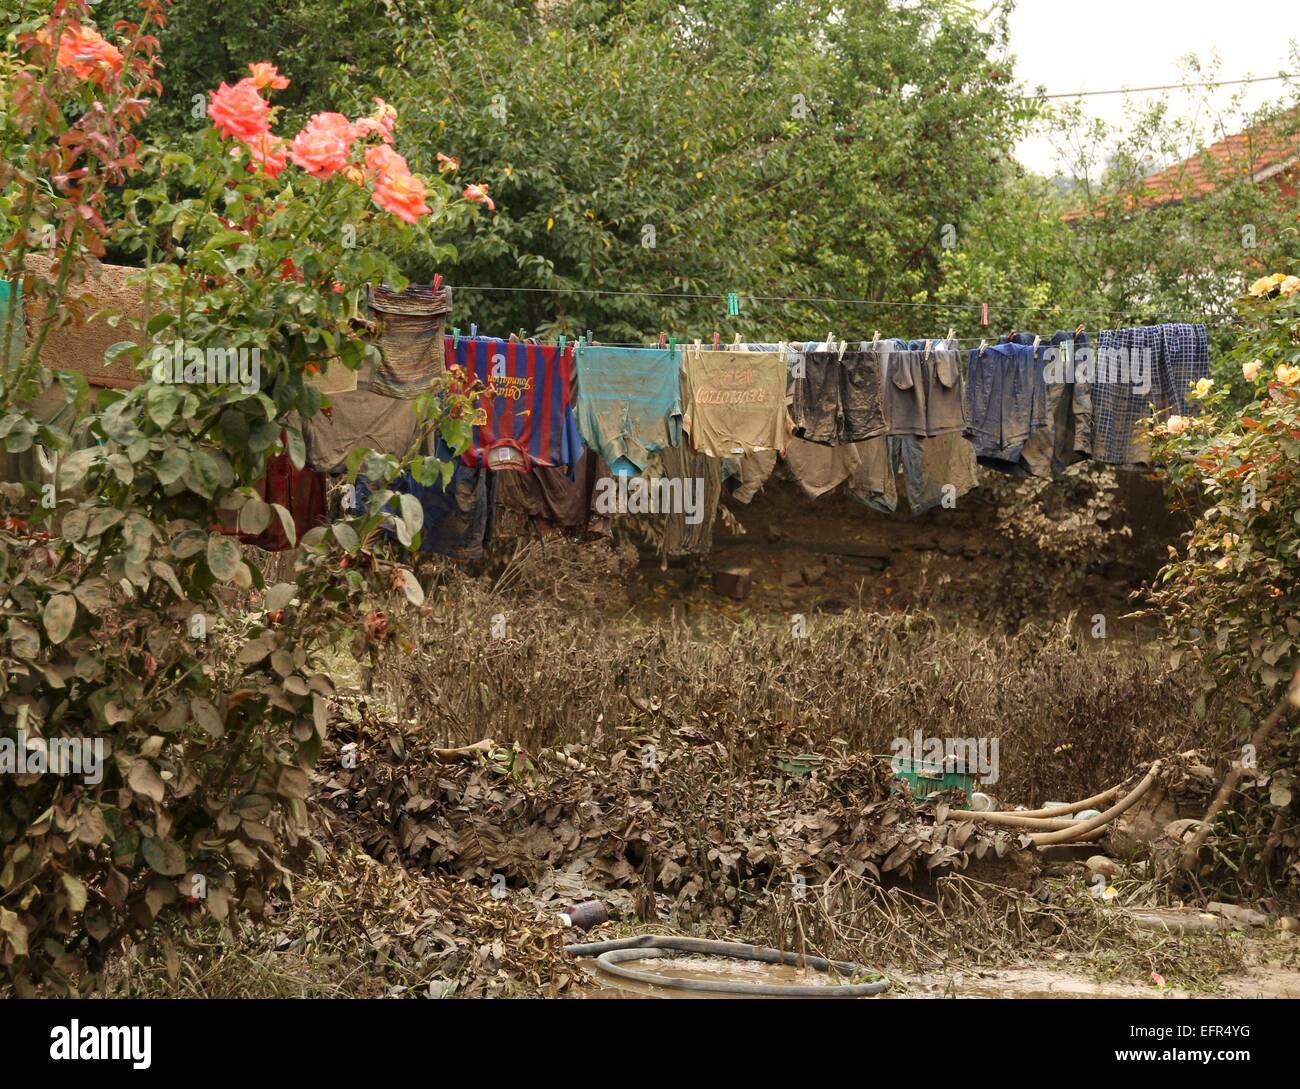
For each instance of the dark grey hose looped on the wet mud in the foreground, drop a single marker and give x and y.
(609, 956)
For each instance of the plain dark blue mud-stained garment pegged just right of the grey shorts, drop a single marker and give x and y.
(1006, 402)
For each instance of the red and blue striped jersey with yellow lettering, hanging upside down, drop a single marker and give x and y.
(525, 415)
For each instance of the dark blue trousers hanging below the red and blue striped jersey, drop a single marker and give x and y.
(458, 519)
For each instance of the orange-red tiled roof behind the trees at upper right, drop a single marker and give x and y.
(1259, 154)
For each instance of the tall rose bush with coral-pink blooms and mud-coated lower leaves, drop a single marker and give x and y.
(123, 608)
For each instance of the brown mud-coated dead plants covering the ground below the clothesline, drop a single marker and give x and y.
(708, 776)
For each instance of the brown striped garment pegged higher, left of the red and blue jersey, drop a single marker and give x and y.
(409, 336)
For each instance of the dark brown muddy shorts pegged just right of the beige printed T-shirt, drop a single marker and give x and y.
(837, 396)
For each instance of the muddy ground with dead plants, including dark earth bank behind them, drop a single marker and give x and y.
(713, 767)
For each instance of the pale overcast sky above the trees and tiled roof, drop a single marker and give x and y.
(1102, 45)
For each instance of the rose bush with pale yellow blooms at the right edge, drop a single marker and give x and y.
(1234, 592)
